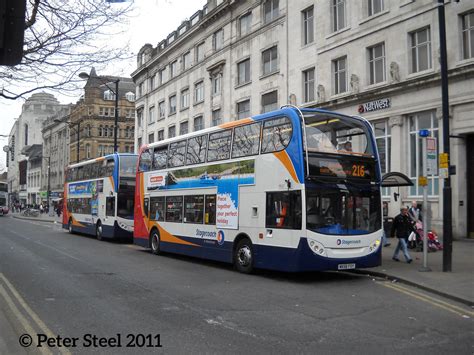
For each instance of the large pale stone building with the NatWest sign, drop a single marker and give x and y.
(377, 58)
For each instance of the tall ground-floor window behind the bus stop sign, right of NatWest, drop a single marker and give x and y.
(423, 120)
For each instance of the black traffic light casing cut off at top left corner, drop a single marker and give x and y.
(12, 31)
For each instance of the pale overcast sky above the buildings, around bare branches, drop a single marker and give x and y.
(153, 21)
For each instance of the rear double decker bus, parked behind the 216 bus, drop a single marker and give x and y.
(98, 196)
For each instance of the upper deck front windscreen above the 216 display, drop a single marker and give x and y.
(336, 134)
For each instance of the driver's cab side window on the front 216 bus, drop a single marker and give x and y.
(283, 210)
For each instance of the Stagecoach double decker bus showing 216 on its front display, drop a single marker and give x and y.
(289, 190)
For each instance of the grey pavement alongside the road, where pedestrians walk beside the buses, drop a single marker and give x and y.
(457, 285)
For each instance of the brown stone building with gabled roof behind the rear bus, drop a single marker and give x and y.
(94, 115)
